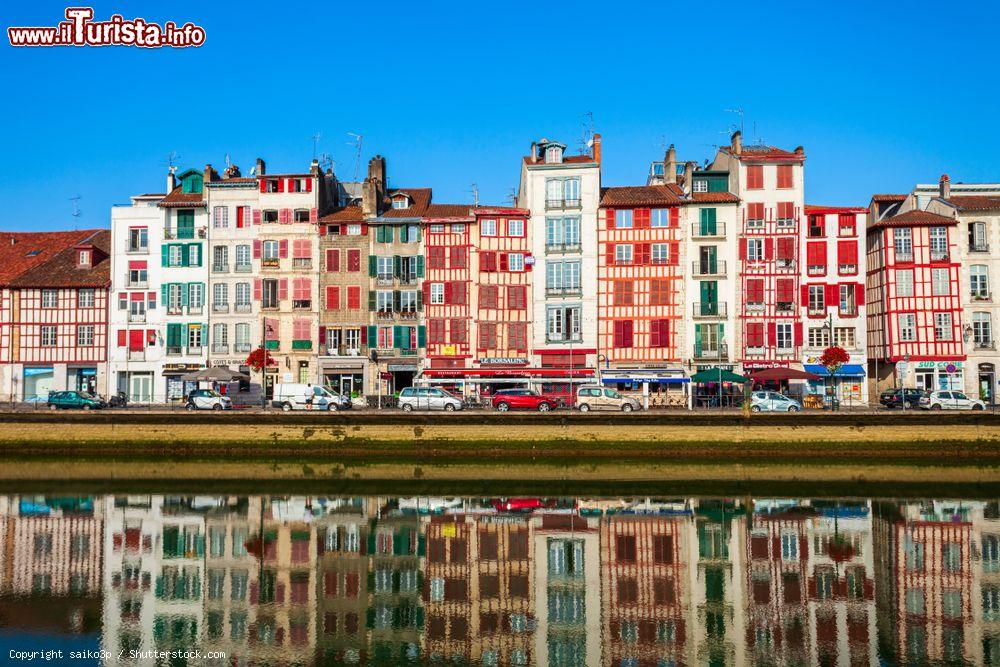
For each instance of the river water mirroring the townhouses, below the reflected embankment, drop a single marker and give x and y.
(281, 580)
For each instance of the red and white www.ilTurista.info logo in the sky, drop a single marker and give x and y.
(80, 30)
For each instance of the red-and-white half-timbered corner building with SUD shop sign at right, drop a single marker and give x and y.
(914, 300)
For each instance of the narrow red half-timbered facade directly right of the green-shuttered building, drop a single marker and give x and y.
(448, 285)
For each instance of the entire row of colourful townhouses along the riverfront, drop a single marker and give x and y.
(369, 288)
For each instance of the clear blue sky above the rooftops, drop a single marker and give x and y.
(880, 96)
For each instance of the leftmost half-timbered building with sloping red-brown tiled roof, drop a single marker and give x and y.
(54, 313)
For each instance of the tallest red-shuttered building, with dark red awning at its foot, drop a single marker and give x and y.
(769, 183)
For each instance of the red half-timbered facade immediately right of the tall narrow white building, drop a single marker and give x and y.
(640, 280)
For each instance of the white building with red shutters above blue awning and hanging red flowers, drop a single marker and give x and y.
(832, 297)
